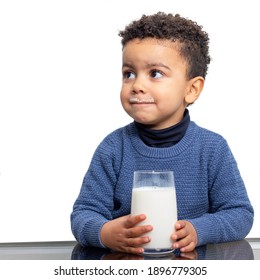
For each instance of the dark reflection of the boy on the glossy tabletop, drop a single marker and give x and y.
(237, 250)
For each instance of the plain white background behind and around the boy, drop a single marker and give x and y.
(60, 78)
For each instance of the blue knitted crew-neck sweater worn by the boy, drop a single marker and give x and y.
(209, 188)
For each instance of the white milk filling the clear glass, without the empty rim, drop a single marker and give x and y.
(159, 206)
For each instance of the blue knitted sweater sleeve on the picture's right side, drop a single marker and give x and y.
(231, 213)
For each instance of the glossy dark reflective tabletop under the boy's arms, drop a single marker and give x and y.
(247, 249)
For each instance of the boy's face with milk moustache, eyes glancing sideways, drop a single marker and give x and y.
(155, 86)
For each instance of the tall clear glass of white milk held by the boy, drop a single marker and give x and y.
(154, 195)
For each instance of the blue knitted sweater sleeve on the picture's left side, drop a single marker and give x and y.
(94, 204)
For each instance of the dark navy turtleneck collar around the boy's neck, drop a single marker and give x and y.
(164, 137)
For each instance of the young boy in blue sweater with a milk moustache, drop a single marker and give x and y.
(165, 62)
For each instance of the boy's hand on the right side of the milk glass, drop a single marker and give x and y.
(185, 237)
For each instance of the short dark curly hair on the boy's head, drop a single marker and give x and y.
(193, 41)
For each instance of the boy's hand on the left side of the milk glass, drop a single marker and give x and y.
(124, 235)
